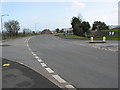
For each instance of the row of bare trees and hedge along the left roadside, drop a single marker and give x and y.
(12, 29)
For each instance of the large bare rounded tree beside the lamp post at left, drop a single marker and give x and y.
(12, 27)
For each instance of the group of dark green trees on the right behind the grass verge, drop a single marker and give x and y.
(81, 27)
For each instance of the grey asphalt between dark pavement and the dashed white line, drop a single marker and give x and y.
(16, 50)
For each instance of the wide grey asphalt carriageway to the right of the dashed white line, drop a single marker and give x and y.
(84, 67)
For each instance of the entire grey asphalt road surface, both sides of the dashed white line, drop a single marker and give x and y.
(75, 62)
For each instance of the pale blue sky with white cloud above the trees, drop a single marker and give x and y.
(54, 14)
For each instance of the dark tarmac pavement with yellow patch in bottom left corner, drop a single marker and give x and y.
(16, 75)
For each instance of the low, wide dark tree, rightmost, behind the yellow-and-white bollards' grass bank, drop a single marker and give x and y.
(98, 25)
